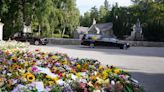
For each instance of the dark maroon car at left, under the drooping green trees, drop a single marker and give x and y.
(28, 37)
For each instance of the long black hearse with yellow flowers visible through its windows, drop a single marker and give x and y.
(97, 40)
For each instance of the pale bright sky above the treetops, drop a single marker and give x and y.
(85, 5)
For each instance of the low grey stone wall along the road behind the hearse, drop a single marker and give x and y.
(61, 41)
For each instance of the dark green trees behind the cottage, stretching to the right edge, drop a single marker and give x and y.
(149, 12)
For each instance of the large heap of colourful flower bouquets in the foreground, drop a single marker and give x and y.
(37, 71)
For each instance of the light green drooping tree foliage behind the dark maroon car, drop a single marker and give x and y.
(45, 16)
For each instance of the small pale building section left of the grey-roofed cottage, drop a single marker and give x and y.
(79, 32)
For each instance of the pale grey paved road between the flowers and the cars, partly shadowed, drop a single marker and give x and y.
(145, 63)
